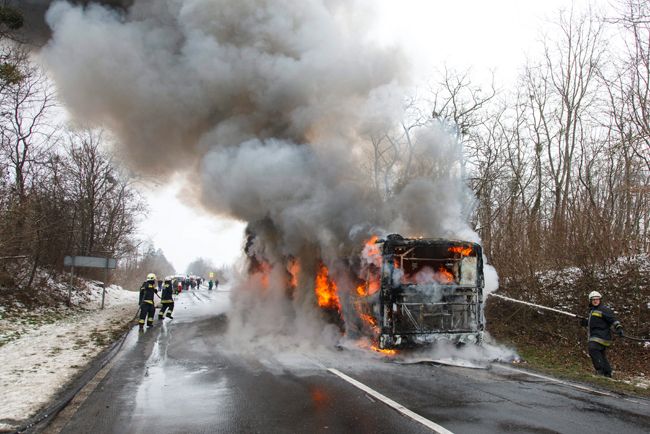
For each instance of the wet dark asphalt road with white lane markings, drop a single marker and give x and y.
(184, 376)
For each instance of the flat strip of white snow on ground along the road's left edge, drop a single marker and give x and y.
(39, 362)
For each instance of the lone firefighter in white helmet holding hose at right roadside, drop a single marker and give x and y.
(599, 322)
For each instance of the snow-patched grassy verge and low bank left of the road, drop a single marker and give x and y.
(45, 346)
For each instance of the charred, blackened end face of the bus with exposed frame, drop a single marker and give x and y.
(430, 289)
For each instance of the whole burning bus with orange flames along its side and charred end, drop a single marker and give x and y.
(410, 291)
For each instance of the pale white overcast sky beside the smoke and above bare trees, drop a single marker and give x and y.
(483, 35)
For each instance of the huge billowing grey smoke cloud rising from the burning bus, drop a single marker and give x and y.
(288, 109)
